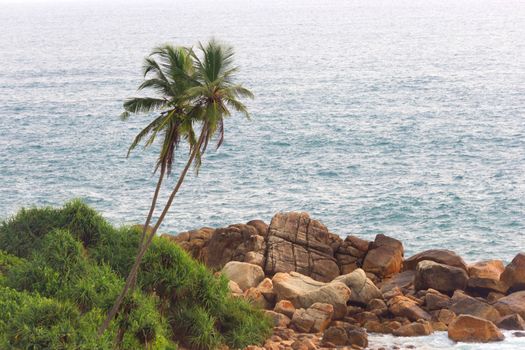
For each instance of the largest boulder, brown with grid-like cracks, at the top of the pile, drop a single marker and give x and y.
(298, 243)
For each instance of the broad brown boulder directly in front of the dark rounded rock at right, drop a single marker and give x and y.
(444, 278)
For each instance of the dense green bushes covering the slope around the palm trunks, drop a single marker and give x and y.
(61, 269)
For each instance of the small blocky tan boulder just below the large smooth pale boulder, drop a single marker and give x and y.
(314, 319)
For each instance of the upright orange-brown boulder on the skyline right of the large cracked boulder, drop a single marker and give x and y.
(384, 257)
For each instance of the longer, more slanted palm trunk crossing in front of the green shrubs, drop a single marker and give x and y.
(134, 269)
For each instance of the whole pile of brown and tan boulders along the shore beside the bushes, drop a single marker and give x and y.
(323, 291)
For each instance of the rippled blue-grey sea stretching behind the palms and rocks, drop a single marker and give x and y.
(405, 118)
